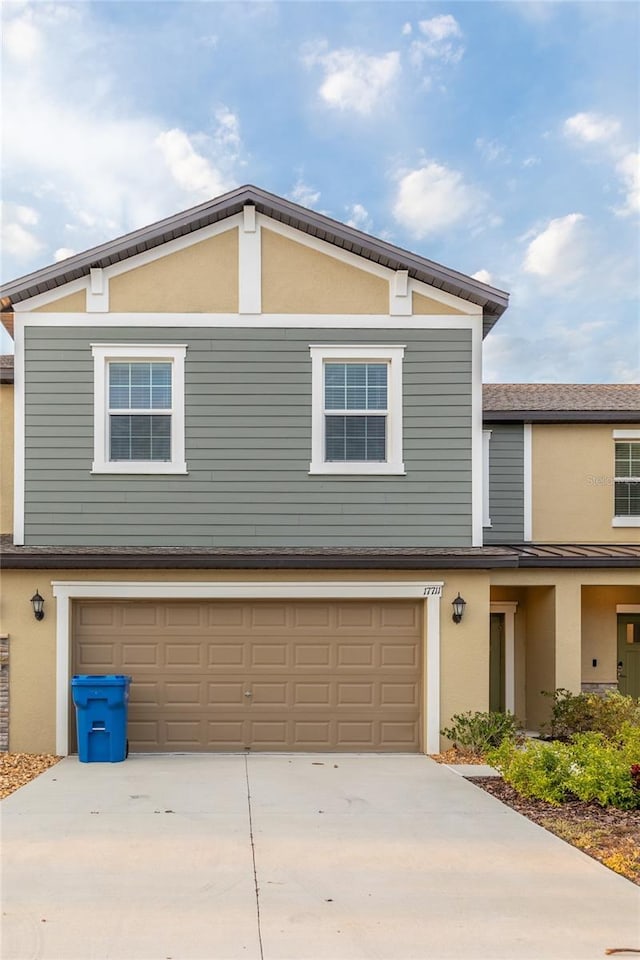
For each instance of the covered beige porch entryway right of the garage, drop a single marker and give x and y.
(573, 628)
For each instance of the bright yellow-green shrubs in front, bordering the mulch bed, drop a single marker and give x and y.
(590, 768)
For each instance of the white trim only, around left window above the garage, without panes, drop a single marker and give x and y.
(103, 353)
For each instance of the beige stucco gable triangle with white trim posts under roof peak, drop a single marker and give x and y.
(250, 268)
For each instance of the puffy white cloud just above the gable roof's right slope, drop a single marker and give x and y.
(433, 198)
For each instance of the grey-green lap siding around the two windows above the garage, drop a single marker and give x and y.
(248, 446)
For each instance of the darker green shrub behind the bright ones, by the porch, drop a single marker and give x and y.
(585, 712)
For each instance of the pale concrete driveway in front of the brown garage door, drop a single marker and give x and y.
(289, 857)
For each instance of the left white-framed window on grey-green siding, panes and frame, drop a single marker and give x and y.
(138, 408)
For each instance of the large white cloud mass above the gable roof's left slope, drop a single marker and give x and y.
(112, 168)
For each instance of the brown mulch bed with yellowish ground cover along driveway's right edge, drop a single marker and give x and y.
(609, 835)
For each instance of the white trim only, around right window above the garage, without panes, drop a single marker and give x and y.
(391, 354)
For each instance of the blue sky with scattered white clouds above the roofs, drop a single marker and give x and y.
(499, 139)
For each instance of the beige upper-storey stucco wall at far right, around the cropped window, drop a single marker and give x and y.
(572, 480)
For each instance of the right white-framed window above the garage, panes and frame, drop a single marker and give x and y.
(357, 409)
